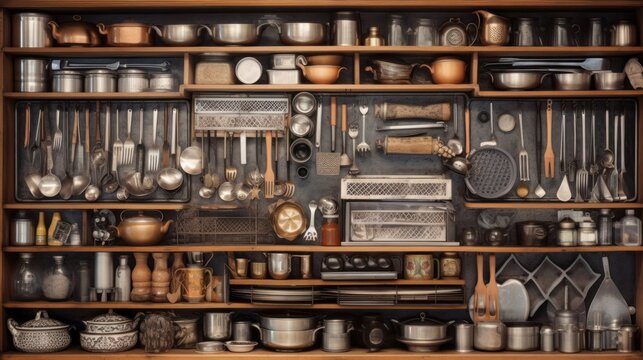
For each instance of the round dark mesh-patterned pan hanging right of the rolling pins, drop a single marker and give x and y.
(492, 173)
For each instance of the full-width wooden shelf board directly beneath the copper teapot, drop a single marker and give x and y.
(322, 249)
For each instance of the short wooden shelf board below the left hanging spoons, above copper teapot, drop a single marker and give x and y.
(94, 205)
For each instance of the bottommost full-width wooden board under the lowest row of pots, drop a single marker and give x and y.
(354, 354)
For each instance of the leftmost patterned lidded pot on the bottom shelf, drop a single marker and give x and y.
(40, 335)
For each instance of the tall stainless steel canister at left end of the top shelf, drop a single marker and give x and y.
(30, 30)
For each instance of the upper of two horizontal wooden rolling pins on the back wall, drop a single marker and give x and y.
(389, 111)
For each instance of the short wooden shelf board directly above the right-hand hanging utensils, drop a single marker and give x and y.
(559, 94)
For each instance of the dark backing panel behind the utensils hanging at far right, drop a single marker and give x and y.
(511, 141)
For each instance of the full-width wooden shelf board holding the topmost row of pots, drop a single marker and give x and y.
(178, 51)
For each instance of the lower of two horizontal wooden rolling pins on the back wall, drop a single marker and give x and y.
(413, 145)
